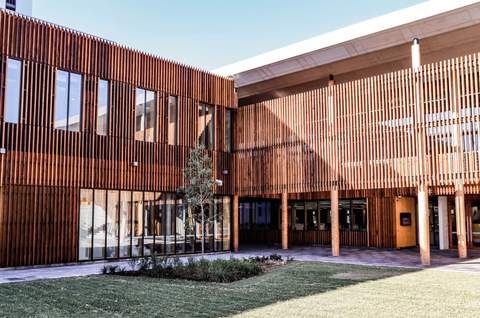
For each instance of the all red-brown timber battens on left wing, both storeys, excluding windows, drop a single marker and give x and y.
(43, 169)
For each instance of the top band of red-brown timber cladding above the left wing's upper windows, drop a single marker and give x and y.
(45, 43)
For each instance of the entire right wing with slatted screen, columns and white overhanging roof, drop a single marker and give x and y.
(364, 136)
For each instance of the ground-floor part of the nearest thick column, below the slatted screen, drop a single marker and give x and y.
(423, 225)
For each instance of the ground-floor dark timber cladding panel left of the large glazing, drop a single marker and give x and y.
(38, 225)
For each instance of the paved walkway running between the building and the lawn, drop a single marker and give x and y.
(444, 260)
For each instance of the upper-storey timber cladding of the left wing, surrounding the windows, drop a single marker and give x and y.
(39, 155)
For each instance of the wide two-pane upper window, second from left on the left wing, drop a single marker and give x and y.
(68, 101)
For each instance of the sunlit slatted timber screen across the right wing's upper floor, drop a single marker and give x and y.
(364, 134)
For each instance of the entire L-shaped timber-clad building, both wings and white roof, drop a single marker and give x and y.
(367, 140)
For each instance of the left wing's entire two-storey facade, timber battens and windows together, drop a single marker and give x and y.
(94, 138)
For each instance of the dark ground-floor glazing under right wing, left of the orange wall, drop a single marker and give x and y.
(309, 222)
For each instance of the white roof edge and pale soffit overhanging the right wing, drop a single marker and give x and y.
(423, 20)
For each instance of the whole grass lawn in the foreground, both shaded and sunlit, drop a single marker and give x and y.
(295, 290)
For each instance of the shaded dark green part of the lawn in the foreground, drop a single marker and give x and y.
(103, 296)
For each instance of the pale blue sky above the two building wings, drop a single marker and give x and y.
(210, 33)
